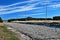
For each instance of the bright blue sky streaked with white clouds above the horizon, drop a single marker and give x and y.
(34, 8)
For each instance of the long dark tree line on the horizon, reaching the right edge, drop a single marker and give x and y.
(30, 18)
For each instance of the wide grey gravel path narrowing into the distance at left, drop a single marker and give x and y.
(37, 32)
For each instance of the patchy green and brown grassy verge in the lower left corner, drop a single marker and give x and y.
(5, 34)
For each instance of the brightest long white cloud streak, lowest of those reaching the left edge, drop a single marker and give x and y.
(19, 10)
